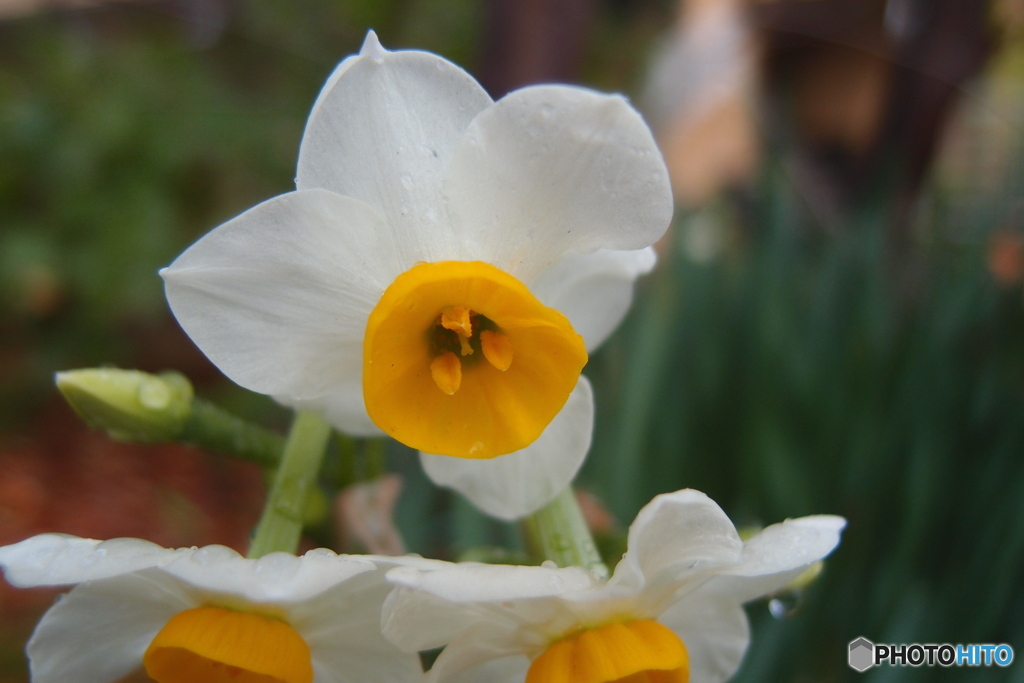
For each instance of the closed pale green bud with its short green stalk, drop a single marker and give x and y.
(133, 406)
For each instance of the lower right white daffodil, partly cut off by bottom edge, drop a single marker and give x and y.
(671, 614)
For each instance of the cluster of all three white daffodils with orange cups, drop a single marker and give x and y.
(440, 276)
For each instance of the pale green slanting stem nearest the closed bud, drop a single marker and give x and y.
(281, 526)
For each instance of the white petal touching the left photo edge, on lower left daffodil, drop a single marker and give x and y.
(57, 560)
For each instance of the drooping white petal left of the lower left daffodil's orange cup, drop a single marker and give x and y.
(100, 631)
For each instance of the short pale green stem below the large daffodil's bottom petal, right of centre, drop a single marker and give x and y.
(559, 533)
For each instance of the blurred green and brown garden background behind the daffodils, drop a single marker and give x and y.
(836, 324)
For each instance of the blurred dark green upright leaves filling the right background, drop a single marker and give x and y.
(799, 374)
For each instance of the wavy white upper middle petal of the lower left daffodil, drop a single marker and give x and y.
(277, 579)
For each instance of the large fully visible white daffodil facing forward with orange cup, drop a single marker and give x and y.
(443, 270)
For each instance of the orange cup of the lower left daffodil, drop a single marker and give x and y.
(218, 646)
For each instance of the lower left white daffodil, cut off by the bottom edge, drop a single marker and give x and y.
(206, 615)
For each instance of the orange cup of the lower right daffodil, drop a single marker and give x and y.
(641, 652)
